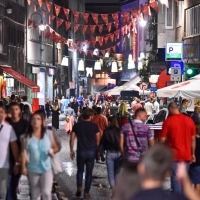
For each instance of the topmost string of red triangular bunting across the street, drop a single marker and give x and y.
(145, 9)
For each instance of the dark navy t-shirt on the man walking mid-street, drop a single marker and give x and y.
(86, 134)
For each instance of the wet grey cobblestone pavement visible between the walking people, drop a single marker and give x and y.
(67, 180)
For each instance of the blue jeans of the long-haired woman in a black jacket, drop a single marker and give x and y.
(113, 166)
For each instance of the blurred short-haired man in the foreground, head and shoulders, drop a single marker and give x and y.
(153, 168)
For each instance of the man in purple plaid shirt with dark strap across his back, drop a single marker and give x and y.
(135, 137)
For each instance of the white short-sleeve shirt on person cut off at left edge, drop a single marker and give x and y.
(7, 135)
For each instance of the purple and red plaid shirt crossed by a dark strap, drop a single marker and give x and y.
(143, 133)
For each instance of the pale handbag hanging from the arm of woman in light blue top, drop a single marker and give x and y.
(55, 161)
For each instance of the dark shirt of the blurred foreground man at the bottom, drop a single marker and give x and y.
(158, 194)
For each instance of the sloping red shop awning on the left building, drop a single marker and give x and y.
(20, 78)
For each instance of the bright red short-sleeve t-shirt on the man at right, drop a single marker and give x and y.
(178, 130)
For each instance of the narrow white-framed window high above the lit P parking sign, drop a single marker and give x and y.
(169, 15)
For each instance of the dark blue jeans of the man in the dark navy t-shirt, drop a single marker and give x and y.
(85, 158)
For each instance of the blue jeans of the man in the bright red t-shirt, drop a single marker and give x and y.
(176, 187)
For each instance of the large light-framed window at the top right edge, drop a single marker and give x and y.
(192, 25)
